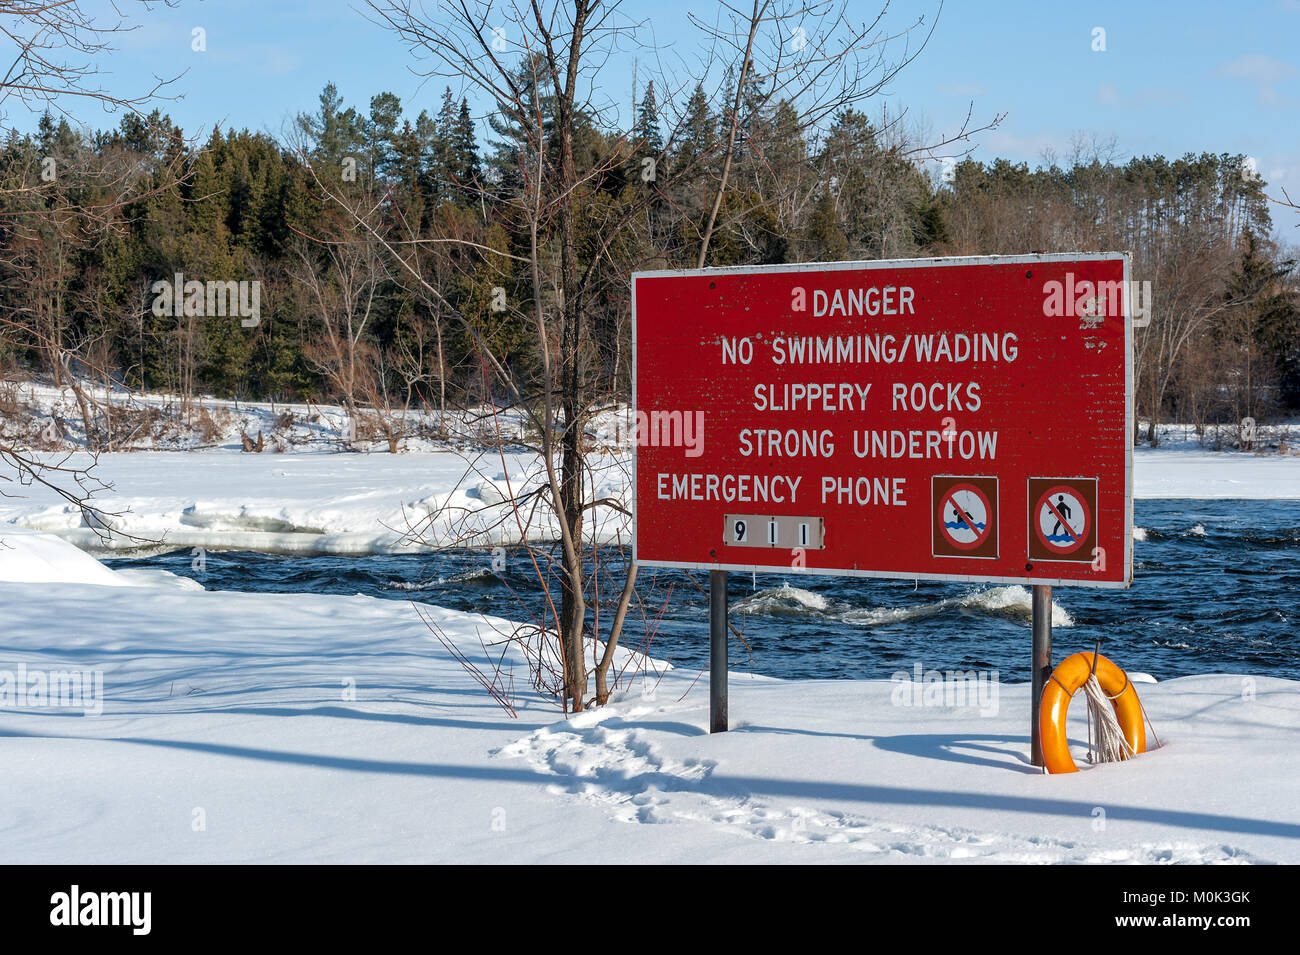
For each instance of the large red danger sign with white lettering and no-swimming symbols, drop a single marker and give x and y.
(944, 419)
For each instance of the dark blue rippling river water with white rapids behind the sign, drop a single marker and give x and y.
(1216, 591)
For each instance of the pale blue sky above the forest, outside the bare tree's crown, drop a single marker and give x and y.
(1175, 77)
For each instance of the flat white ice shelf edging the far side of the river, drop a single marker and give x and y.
(340, 503)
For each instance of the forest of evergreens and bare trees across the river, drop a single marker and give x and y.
(93, 223)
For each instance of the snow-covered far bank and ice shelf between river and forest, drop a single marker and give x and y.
(314, 498)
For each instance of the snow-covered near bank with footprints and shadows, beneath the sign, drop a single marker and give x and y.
(306, 728)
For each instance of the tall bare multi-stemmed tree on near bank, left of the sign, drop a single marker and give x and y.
(545, 67)
